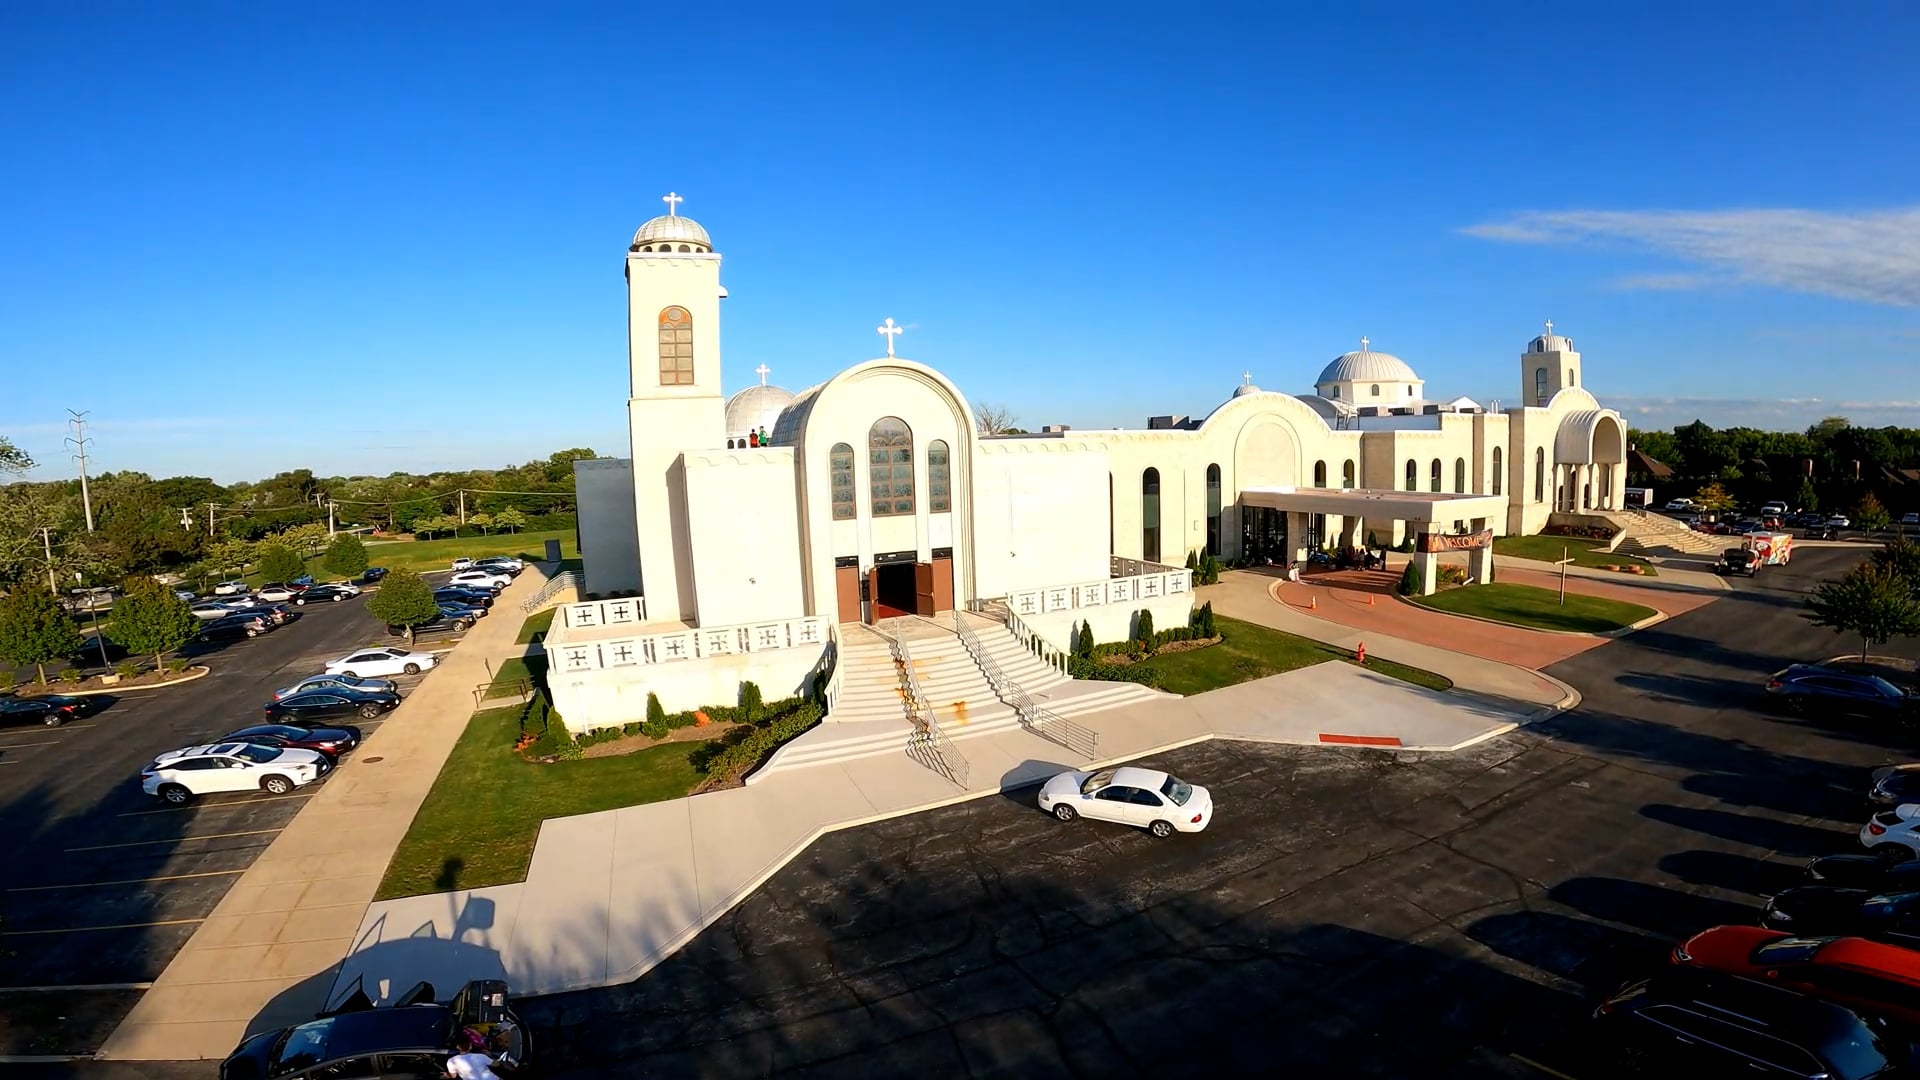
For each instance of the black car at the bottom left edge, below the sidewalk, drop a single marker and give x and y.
(408, 1039)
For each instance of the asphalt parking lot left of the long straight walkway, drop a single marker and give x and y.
(105, 883)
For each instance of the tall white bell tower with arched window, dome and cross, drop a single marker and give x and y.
(673, 299)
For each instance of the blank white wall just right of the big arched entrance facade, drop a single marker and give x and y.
(1026, 493)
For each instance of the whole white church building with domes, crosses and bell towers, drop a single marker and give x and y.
(744, 531)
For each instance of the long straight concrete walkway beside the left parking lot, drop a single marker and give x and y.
(266, 958)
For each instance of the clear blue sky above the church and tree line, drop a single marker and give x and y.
(352, 239)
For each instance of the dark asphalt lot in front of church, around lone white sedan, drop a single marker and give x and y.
(1356, 914)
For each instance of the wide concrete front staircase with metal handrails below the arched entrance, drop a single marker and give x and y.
(871, 714)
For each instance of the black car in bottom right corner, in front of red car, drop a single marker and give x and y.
(1691, 1021)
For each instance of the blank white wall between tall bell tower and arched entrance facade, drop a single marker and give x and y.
(742, 518)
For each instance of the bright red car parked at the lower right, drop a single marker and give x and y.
(1869, 977)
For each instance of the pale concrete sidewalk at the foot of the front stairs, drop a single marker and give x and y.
(612, 895)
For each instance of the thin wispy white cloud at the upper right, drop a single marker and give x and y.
(1871, 257)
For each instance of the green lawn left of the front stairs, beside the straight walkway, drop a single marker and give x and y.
(479, 823)
